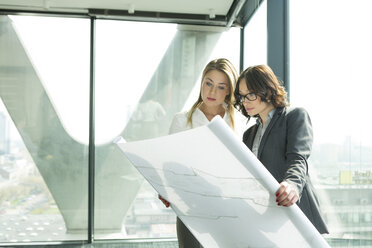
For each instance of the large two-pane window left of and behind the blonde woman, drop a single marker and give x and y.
(145, 73)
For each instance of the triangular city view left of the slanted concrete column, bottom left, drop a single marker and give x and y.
(28, 211)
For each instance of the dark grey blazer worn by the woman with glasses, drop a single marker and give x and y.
(284, 150)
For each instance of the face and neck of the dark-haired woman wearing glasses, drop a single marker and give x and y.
(256, 106)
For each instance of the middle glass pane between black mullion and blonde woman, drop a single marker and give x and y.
(145, 73)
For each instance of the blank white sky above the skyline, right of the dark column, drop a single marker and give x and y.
(330, 63)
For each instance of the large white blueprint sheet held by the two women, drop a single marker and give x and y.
(220, 190)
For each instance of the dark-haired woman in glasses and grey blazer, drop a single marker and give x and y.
(281, 138)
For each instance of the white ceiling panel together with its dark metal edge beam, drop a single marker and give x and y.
(204, 12)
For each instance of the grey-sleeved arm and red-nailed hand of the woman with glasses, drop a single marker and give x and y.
(299, 143)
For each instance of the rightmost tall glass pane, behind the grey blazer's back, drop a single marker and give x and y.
(330, 63)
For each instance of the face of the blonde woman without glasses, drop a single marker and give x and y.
(215, 88)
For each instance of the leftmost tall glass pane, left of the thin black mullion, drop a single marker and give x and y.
(43, 128)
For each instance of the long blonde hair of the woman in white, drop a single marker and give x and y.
(225, 66)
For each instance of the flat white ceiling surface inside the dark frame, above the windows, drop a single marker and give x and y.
(204, 7)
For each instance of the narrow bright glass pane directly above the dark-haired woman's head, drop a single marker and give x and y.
(255, 38)
